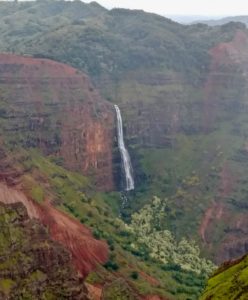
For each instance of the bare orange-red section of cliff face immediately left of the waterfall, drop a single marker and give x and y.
(87, 142)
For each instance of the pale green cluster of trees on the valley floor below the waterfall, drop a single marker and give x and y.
(148, 225)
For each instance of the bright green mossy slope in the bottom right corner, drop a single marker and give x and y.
(229, 282)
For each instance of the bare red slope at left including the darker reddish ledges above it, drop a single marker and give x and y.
(86, 252)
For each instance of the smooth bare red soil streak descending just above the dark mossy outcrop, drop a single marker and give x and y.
(86, 251)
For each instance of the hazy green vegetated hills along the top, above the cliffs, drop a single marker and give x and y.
(102, 42)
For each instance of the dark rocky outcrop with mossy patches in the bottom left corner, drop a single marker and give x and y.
(32, 266)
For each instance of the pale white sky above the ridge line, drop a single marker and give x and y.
(183, 7)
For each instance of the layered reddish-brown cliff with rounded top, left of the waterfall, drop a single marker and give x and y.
(55, 107)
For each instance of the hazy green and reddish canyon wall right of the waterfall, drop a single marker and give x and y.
(177, 129)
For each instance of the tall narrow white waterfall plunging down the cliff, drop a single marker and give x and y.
(125, 157)
